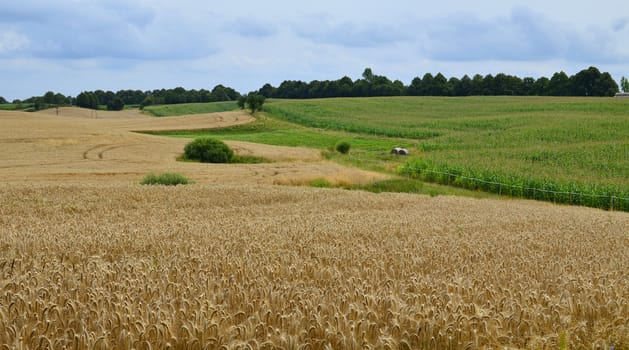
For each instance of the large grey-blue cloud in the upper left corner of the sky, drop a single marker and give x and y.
(112, 29)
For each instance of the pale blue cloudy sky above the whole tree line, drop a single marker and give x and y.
(69, 46)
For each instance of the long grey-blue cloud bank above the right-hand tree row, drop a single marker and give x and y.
(523, 35)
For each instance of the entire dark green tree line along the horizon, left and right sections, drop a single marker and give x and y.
(588, 82)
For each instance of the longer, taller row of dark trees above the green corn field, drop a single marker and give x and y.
(588, 82)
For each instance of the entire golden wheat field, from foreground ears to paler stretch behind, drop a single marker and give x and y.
(89, 259)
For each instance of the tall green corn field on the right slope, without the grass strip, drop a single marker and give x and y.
(572, 144)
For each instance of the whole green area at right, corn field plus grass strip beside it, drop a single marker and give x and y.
(555, 144)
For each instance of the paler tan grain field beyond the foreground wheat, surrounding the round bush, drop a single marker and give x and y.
(78, 147)
